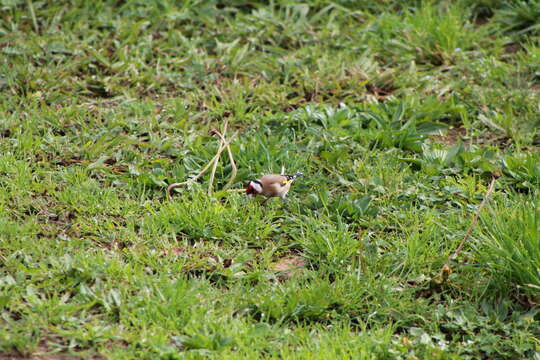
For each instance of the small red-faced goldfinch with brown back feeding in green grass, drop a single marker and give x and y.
(272, 185)
